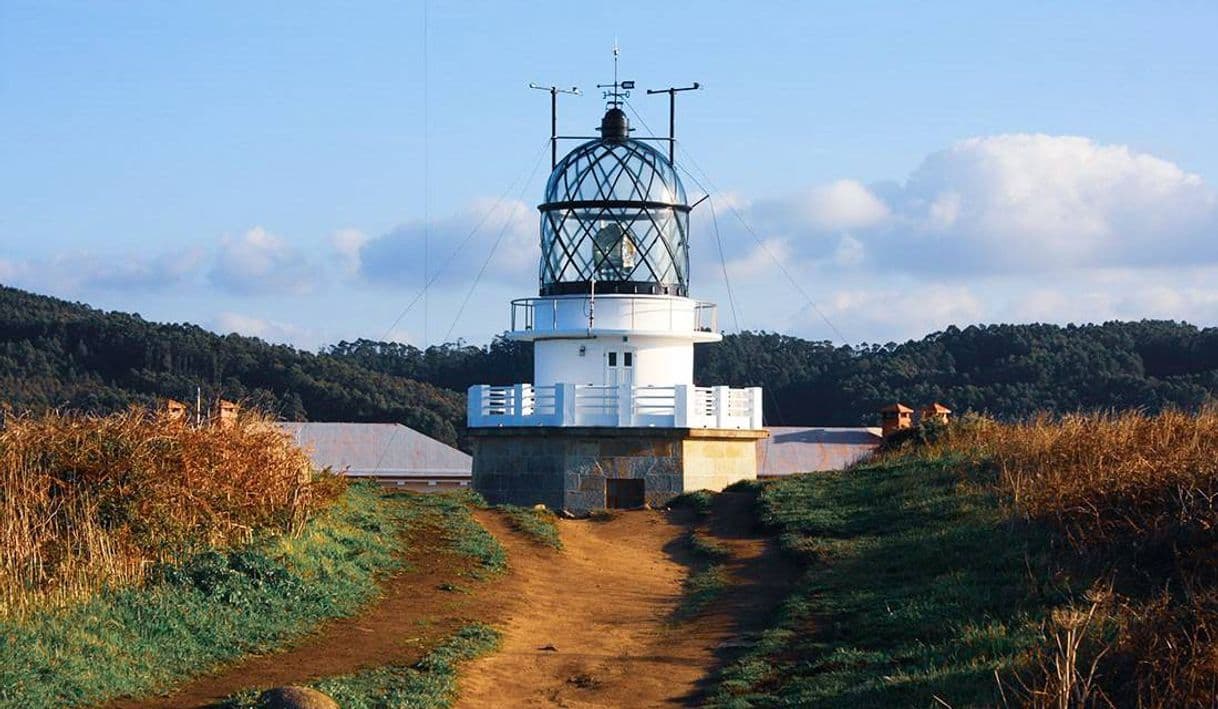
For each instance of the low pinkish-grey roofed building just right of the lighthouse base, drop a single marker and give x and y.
(792, 450)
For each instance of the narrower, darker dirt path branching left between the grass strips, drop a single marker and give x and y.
(412, 616)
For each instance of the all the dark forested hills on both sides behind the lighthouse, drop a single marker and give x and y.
(54, 354)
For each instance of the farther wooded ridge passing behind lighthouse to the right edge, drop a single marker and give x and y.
(1005, 371)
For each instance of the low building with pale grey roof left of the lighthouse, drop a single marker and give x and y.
(392, 454)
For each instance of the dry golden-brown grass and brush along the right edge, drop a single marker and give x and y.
(1136, 499)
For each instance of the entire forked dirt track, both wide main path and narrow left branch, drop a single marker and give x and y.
(604, 605)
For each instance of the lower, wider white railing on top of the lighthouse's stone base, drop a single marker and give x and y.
(579, 405)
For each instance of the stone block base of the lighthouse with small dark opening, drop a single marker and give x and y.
(589, 468)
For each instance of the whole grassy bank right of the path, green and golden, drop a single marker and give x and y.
(1051, 563)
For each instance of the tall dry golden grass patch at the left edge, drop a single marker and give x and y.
(91, 503)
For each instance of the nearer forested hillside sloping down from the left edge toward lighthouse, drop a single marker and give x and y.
(62, 355)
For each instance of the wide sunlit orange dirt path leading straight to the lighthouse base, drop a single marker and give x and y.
(605, 606)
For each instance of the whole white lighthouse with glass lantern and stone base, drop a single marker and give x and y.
(613, 416)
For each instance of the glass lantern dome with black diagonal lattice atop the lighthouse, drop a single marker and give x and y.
(616, 220)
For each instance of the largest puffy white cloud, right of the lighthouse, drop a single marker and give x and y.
(1033, 203)
